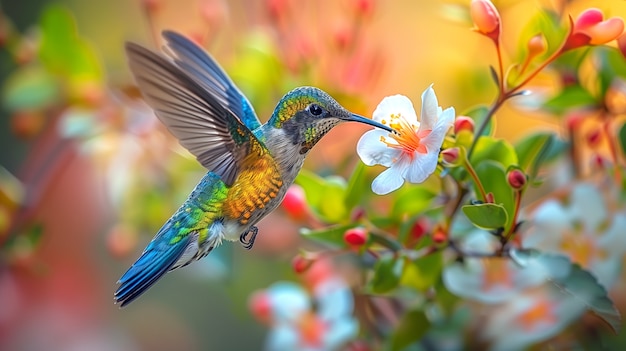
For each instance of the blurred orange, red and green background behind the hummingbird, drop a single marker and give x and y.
(88, 174)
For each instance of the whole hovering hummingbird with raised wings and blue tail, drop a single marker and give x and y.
(250, 165)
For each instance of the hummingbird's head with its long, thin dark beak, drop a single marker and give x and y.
(306, 114)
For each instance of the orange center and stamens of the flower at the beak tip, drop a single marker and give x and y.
(408, 138)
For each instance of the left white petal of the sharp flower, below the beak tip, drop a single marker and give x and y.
(372, 151)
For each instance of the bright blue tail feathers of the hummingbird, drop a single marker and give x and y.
(154, 262)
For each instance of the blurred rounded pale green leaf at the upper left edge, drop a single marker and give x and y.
(29, 87)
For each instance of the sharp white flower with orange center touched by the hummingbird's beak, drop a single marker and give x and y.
(412, 153)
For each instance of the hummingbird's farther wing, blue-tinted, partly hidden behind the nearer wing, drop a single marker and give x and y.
(202, 67)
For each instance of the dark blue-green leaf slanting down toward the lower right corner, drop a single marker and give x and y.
(580, 284)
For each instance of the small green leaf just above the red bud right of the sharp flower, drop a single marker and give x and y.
(532, 151)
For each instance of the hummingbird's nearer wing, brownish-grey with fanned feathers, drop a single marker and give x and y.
(194, 114)
